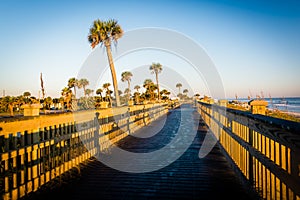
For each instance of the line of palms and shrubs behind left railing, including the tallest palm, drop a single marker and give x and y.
(102, 33)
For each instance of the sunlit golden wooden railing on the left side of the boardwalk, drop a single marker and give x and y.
(38, 150)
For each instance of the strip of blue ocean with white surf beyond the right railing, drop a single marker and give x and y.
(286, 104)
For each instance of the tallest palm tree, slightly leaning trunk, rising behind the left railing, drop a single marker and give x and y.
(104, 32)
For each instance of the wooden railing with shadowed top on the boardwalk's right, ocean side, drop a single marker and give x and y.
(264, 150)
